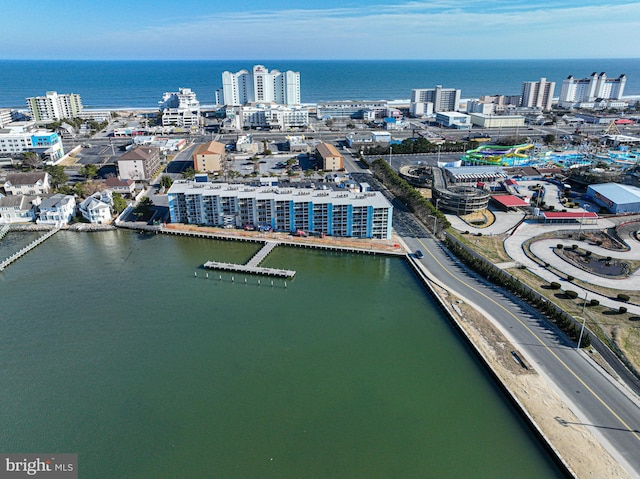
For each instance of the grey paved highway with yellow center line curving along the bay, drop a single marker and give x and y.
(600, 403)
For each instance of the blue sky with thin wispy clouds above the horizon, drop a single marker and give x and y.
(318, 29)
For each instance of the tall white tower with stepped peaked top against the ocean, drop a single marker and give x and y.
(260, 86)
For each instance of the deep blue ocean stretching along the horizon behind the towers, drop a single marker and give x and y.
(140, 84)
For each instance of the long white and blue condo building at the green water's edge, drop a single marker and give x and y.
(332, 212)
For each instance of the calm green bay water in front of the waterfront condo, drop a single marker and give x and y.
(111, 348)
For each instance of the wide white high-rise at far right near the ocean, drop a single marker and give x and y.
(576, 91)
